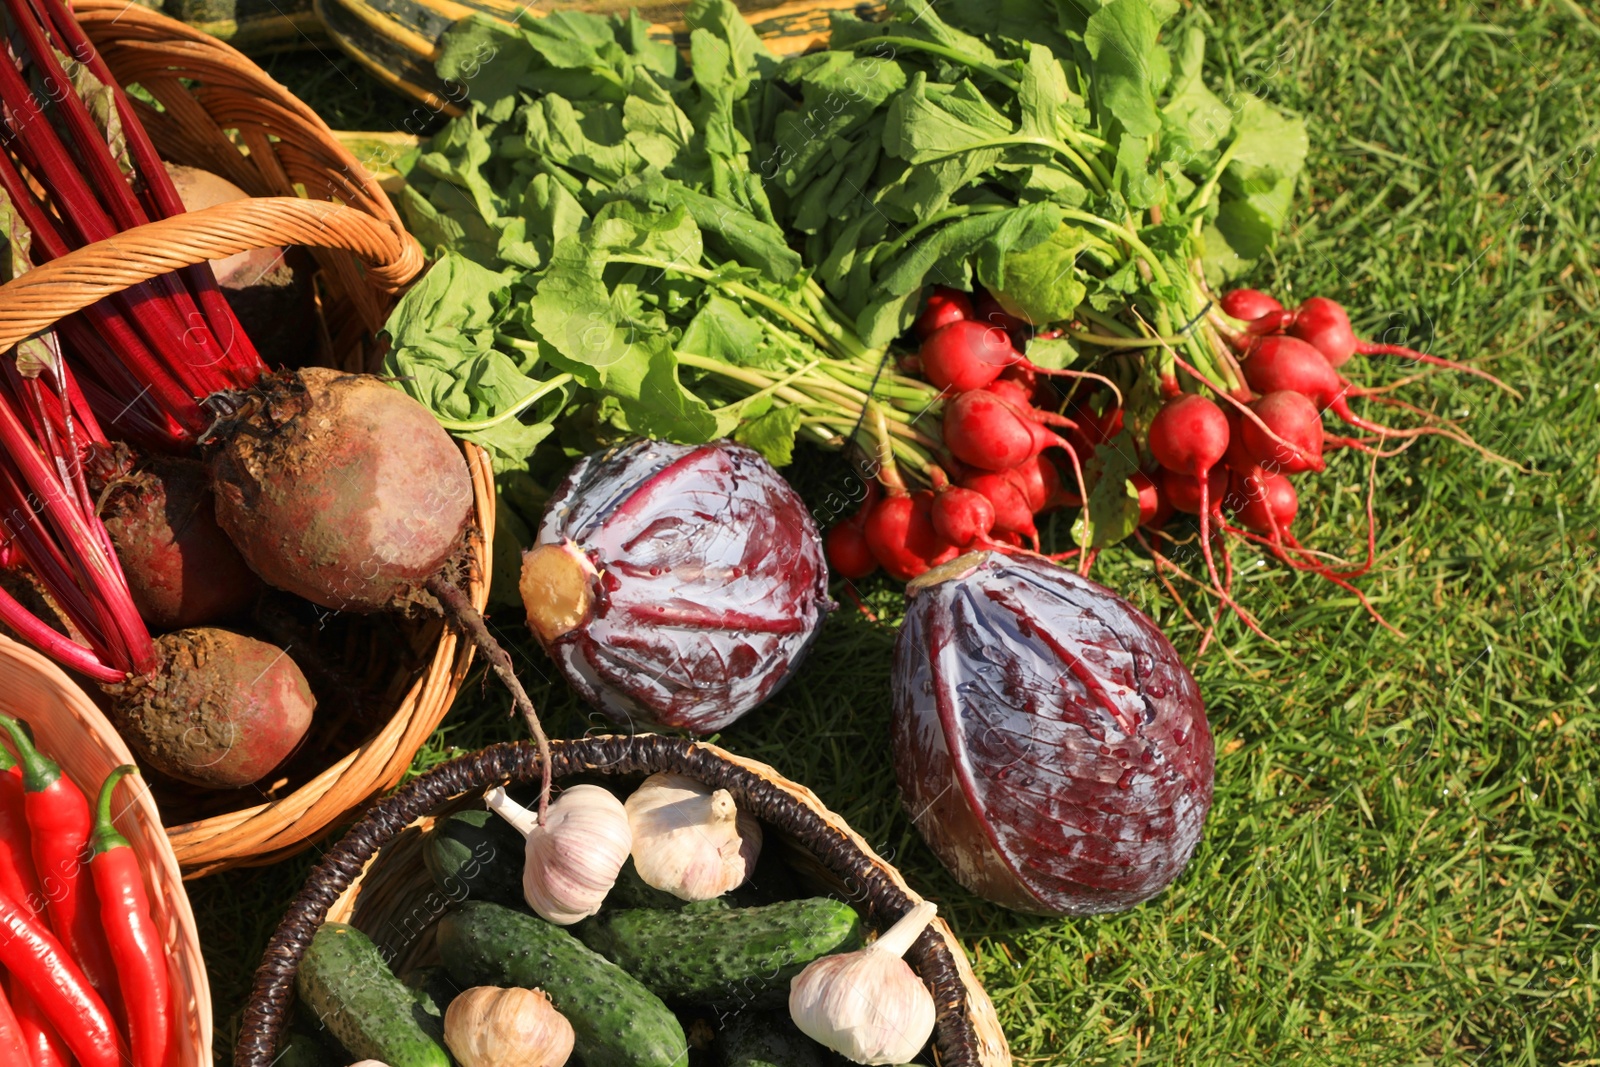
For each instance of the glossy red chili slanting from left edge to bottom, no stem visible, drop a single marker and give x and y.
(63, 994)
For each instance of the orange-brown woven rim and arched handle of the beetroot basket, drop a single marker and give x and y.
(370, 230)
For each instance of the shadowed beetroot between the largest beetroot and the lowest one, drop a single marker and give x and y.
(180, 565)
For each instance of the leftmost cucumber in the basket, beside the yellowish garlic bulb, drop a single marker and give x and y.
(345, 983)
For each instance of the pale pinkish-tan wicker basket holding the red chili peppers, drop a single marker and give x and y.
(71, 730)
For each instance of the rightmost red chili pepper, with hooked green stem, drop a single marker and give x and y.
(135, 943)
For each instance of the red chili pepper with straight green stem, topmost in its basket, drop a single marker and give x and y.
(58, 817)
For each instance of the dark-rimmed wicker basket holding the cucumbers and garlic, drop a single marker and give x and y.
(390, 895)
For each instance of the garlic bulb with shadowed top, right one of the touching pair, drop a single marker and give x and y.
(689, 841)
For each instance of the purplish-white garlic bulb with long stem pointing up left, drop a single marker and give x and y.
(574, 860)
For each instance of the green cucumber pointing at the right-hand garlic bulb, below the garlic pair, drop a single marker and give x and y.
(738, 956)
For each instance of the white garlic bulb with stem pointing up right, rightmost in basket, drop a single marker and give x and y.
(870, 1007)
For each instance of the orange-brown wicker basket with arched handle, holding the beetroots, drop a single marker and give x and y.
(222, 113)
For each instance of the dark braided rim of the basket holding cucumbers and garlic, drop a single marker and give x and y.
(969, 1033)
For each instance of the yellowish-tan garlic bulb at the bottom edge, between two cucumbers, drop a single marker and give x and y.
(506, 1028)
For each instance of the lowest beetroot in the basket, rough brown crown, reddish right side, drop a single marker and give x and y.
(220, 711)
